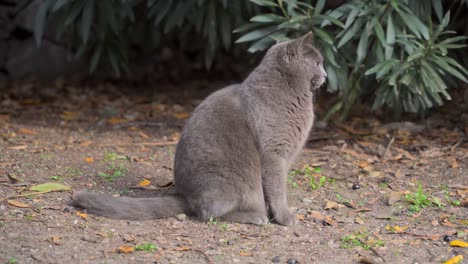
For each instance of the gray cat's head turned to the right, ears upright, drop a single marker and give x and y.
(299, 59)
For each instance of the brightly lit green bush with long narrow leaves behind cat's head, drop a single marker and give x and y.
(372, 47)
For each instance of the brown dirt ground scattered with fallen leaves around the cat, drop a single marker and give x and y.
(365, 191)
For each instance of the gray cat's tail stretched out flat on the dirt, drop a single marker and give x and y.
(127, 207)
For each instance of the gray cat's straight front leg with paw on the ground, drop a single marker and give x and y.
(274, 175)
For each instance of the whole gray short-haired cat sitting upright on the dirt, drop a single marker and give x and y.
(235, 151)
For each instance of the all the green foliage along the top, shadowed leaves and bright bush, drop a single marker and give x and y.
(401, 53)
